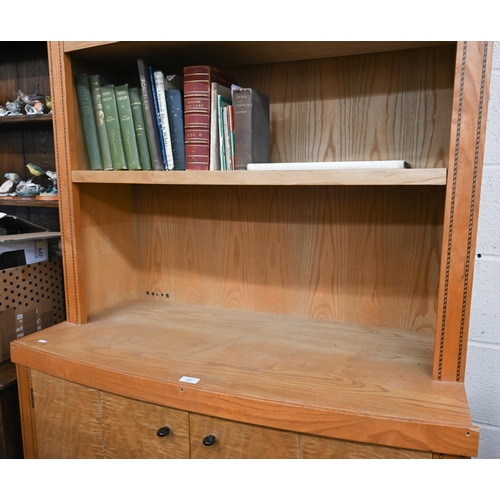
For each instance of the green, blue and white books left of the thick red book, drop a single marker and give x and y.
(131, 128)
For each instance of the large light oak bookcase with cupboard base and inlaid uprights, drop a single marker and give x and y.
(325, 313)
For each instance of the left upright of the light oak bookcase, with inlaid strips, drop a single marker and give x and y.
(65, 138)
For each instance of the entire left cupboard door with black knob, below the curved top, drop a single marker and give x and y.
(73, 421)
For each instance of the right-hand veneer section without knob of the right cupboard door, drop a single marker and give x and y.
(317, 447)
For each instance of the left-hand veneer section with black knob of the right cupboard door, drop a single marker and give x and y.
(237, 440)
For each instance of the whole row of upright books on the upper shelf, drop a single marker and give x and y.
(201, 120)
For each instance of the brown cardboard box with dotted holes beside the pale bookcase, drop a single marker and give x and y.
(31, 299)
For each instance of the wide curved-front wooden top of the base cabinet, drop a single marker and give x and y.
(345, 381)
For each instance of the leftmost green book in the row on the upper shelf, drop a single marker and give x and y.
(84, 97)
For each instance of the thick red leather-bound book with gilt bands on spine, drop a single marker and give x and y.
(197, 91)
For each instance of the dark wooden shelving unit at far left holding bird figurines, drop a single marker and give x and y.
(25, 139)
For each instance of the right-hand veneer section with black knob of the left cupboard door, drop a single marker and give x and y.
(130, 429)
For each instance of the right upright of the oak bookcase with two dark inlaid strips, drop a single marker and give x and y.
(472, 76)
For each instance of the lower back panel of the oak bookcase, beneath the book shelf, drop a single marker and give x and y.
(357, 254)
